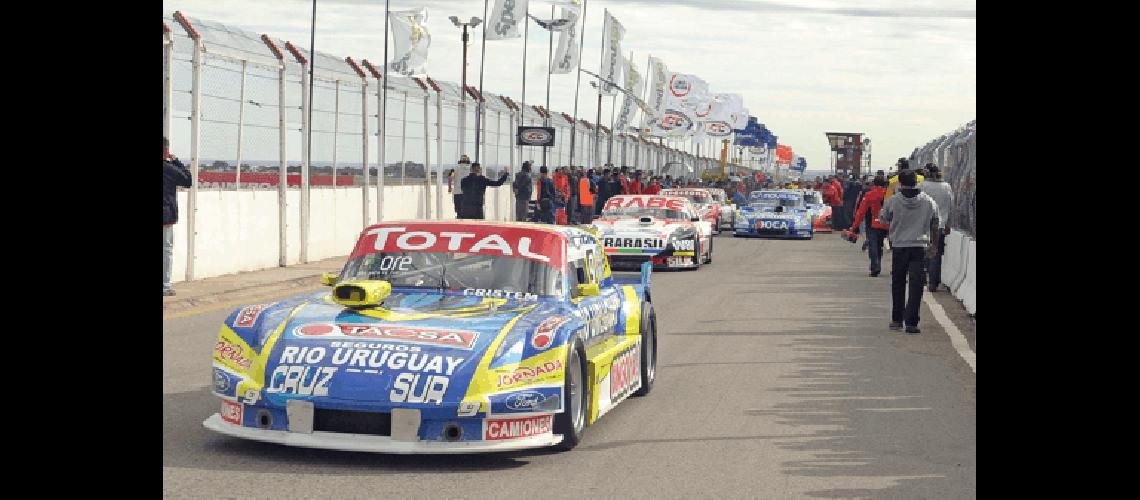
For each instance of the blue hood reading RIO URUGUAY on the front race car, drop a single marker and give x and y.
(421, 350)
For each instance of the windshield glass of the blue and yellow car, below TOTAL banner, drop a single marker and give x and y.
(457, 272)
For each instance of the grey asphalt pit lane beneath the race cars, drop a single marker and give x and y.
(778, 379)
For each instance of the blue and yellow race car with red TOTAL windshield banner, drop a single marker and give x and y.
(443, 338)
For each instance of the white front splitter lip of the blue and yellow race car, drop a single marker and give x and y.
(371, 444)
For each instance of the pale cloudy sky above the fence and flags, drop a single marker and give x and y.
(903, 72)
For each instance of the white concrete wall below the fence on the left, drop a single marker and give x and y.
(239, 231)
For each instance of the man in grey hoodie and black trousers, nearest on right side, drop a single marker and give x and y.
(914, 217)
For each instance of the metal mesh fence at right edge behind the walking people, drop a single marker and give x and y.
(956, 154)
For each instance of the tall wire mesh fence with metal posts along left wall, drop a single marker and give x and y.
(238, 105)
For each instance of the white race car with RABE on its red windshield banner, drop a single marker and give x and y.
(663, 231)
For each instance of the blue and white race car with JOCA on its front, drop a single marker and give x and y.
(776, 214)
